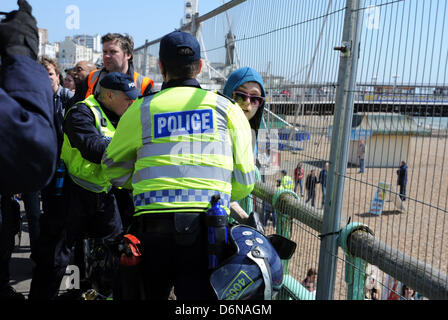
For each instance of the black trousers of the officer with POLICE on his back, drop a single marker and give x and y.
(167, 263)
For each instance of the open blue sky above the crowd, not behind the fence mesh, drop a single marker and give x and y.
(142, 19)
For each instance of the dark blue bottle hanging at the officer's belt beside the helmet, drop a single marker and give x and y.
(217, 232)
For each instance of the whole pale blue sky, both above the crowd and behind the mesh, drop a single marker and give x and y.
(401, 41)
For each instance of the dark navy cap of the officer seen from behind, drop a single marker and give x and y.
(171, 42)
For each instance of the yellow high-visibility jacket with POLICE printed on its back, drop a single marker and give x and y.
(178, 147)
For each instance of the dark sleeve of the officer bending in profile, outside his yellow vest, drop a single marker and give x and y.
(80, 128)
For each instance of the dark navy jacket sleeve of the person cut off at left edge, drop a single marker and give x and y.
(28, 138)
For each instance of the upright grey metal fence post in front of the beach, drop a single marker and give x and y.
(342, 122)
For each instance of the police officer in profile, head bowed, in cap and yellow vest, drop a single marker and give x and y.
(90, 209)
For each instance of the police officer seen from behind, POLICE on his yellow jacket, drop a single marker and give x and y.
(176, 149)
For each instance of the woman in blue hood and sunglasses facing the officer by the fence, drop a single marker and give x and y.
(246, 87)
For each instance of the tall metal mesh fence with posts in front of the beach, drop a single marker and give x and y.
(338, 72)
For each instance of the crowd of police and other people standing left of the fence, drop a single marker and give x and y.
(96, 152)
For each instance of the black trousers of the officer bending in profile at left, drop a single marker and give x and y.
(77, 214)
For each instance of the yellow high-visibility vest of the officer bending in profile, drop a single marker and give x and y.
(87, 174)
